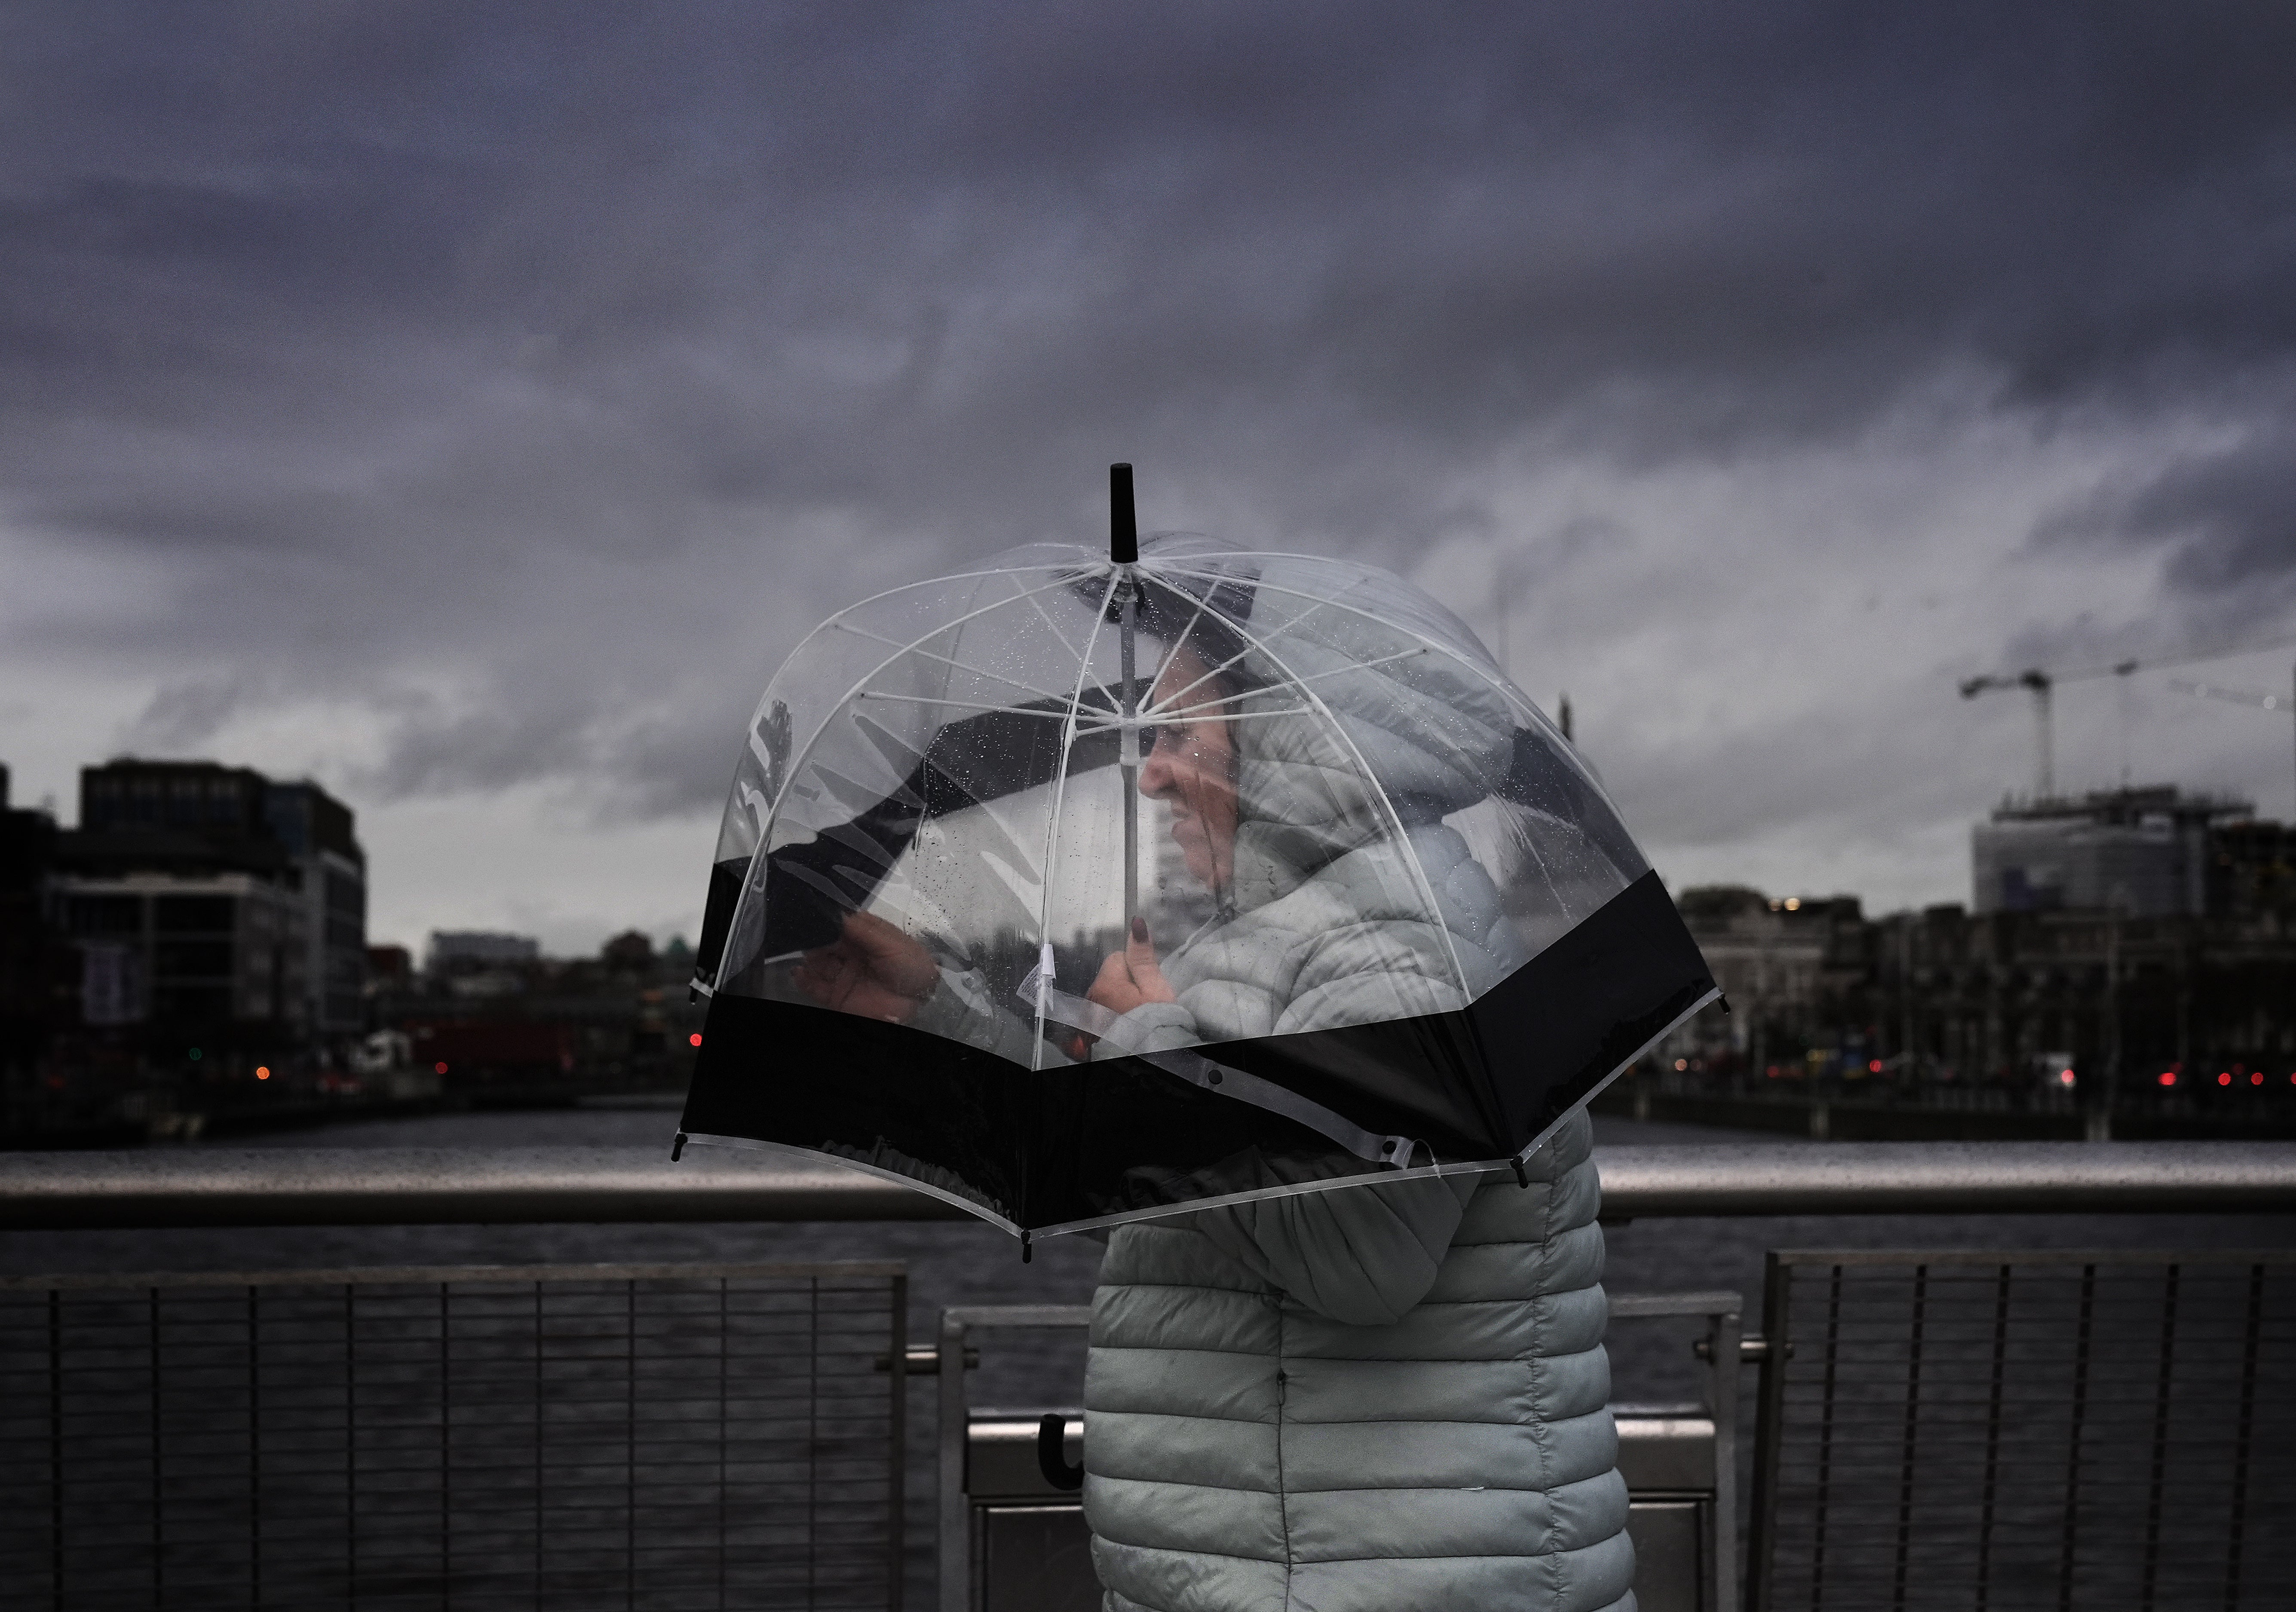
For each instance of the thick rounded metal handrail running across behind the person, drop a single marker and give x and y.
(614, 1186)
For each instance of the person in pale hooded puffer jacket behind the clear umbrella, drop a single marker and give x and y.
(1372, 1400)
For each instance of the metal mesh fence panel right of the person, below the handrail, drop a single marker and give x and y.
(2056, 1429)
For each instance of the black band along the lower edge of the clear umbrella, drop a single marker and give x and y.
(1064, 1145)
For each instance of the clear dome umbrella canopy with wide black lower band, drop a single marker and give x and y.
(1085, 888)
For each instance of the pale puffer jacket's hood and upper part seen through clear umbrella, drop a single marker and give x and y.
(1351, 899)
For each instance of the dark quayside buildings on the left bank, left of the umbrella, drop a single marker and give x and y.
(194, 959)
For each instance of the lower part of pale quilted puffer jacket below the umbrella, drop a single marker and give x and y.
(1376, 1400)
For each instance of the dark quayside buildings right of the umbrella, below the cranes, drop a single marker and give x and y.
(2118, 943)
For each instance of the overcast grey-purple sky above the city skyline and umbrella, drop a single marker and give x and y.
(470, 405)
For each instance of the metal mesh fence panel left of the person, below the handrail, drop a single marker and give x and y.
(571, 1436)
